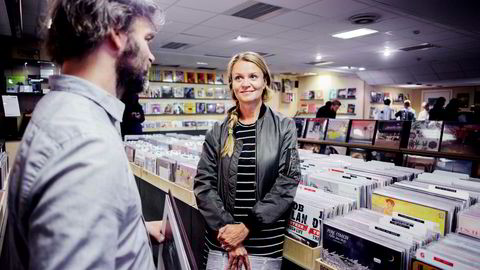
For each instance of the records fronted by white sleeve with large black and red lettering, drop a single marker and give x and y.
(310, 208)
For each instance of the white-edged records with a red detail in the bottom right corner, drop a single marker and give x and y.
(454, 251)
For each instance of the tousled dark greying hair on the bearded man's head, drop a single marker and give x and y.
(78, 27)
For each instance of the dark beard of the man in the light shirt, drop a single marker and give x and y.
(131, 79)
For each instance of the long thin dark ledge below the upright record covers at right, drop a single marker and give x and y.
(395, 150)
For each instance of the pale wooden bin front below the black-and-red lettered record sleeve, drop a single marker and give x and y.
(300, 254)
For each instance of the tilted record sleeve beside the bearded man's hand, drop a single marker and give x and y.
(175, 252)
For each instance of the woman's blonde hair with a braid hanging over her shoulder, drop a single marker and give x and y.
(260, 62)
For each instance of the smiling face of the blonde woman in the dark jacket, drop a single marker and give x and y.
(248, 82)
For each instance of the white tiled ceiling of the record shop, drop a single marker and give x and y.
(304, 30)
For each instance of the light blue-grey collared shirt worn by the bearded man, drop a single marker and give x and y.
(73, 201)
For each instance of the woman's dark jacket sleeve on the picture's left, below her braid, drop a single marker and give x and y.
(205, 185)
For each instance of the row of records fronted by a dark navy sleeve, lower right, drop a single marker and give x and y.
(365, 239)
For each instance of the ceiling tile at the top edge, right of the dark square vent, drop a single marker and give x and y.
(333, 8)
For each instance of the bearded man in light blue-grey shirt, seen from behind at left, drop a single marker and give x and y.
(73, 201)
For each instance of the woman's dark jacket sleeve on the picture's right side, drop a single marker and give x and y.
(280, 197)
